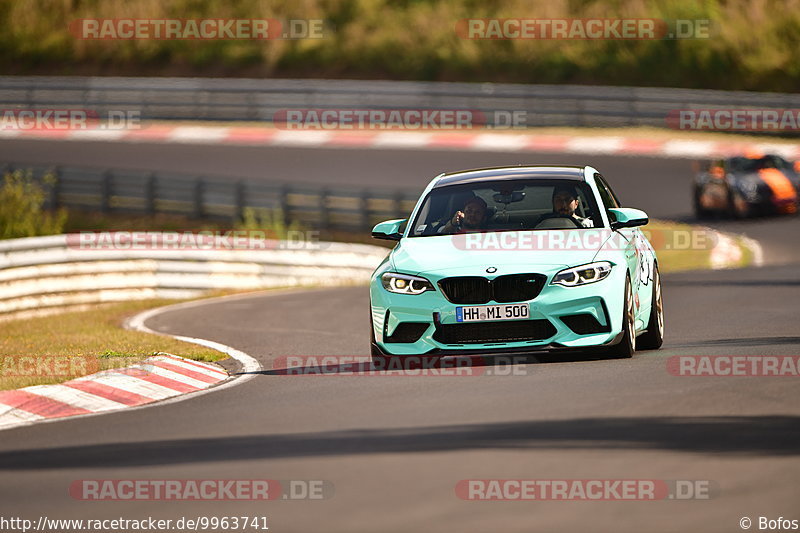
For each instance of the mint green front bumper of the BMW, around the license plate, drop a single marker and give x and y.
(561, 318)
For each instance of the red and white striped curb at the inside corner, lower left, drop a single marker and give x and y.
(154, 379)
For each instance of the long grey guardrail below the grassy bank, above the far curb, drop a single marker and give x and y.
(259, 99)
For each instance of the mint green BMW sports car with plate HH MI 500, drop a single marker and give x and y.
(517, 260)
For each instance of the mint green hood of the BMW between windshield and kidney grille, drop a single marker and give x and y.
(510, 251)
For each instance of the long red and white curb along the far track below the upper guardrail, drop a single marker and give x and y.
(415, 140)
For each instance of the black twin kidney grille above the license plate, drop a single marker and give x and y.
(502, 289)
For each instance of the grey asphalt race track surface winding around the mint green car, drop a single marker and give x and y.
(395, 447)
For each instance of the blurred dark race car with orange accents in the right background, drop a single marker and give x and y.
(742, 186)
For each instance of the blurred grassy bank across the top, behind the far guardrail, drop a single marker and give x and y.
(754, 44)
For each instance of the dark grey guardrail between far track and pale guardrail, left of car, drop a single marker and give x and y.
(126, 191)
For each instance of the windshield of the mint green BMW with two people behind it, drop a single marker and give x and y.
(507, 205)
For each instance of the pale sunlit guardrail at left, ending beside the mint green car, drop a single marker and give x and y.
(49, 272)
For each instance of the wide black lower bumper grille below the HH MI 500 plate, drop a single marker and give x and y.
(491, 332)
